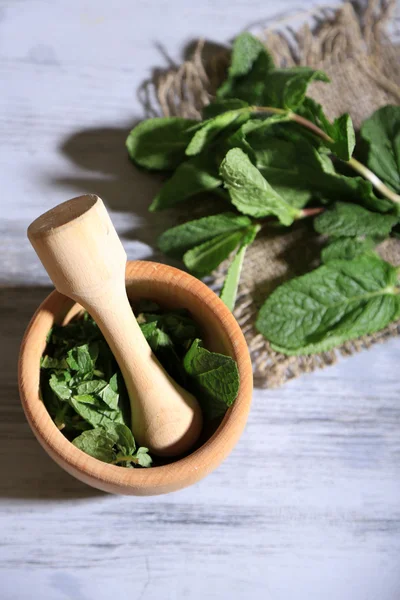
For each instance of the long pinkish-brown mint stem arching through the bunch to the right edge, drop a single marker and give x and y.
(353, 162)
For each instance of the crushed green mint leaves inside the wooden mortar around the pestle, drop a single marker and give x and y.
(85, 394)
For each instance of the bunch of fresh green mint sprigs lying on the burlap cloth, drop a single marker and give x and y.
(270, 151)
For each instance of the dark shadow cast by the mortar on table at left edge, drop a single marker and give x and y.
(25, 469)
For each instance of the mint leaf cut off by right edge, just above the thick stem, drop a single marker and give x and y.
(381, 133)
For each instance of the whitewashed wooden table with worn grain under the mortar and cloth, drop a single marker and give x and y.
(307, 506)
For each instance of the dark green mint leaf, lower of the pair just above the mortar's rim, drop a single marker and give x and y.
(203, 259)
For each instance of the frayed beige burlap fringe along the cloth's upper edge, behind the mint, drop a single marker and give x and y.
(185, 90)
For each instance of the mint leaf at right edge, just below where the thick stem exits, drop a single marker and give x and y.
(346, 219)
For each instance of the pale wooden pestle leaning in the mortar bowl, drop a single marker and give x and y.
(83, 255)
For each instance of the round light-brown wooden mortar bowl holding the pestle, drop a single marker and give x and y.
(171, 288)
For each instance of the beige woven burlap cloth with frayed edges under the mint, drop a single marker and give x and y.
(364, 68)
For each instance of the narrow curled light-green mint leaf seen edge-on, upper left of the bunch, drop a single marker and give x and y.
(211, 128)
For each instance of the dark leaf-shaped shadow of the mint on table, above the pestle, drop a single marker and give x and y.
(106, 170)
